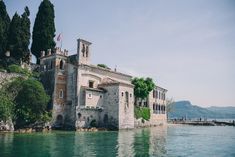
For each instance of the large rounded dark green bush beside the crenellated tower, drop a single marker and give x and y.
(31, 102)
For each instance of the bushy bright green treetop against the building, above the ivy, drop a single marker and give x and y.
(142, 87)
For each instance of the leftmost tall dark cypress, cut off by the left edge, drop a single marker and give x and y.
(4, 25)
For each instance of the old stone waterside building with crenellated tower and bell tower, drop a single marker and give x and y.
(85, 95)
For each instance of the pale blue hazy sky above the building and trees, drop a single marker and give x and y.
(186, 46)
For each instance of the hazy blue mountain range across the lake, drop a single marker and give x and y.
(186, 109)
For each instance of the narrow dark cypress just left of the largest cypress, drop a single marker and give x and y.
(25, 34)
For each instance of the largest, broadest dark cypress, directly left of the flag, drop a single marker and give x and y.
(44, 29)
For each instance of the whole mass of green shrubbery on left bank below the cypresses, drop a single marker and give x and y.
(24, 101)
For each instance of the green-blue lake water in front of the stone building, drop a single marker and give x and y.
(172, 141)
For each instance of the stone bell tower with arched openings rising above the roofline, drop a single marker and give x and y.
(83, 50)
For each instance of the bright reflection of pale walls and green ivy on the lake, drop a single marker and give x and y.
(142, 142)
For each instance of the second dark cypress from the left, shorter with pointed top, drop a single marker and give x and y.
(14, 39)
